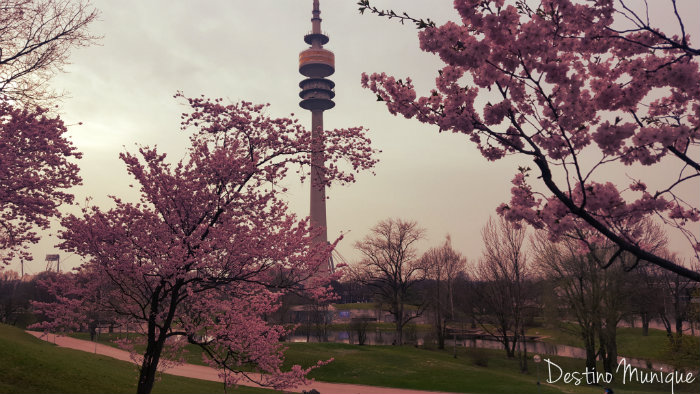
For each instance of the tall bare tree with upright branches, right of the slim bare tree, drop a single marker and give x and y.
(502, 273)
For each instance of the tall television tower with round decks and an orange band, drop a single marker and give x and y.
(316, 63)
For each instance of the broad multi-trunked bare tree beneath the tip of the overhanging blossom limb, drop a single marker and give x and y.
(596, 298)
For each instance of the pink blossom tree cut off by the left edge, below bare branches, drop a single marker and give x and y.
(36, 169)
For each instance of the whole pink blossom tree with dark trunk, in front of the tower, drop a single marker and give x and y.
(210, 247)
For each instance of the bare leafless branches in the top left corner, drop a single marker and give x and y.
(35, 41)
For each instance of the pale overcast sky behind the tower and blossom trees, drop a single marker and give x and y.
(122, 91)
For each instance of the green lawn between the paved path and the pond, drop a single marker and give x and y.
(417, 368)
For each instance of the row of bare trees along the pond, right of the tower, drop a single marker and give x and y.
(522, 280)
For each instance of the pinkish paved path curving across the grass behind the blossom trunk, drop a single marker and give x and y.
(208, 373)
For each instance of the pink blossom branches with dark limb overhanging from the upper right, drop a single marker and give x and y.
(583, 91)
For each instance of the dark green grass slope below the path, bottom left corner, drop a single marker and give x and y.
(30, 365)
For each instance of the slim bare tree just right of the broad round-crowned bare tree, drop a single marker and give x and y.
(441, 266)
